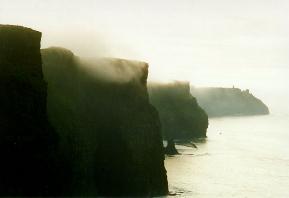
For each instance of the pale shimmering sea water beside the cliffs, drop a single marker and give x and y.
(242, 157)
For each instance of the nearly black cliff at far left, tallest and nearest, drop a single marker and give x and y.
(27, 141)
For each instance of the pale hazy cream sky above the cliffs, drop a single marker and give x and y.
(207, 42)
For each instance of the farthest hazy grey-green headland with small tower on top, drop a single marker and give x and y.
(229, 102)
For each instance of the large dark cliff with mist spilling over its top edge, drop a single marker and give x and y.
(110, 134)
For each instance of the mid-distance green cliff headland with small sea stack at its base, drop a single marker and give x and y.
(180, 114)
